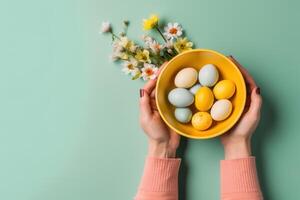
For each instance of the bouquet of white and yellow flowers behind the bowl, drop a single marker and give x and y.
(143, 61)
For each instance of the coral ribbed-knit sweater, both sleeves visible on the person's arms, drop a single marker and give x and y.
(238, 180)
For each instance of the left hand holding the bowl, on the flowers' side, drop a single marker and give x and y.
(163, 141)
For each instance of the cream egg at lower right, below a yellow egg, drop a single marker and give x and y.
(221, 109)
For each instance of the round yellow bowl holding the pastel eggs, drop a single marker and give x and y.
(196, 59)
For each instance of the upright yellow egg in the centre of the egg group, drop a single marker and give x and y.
(204, 99)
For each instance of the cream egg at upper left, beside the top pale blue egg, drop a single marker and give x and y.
(186, 78)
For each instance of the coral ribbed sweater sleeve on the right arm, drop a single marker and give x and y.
(239, 180)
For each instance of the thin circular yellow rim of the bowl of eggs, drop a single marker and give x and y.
(233, 121)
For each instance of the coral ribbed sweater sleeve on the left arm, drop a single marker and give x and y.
(160, 179)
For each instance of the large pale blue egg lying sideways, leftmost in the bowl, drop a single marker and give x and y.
(180, 97)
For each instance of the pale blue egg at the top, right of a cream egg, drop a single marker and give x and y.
(208, 75)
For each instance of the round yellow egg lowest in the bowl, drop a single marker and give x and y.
(201, 121)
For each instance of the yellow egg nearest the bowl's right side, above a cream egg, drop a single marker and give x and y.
(224, 89)
